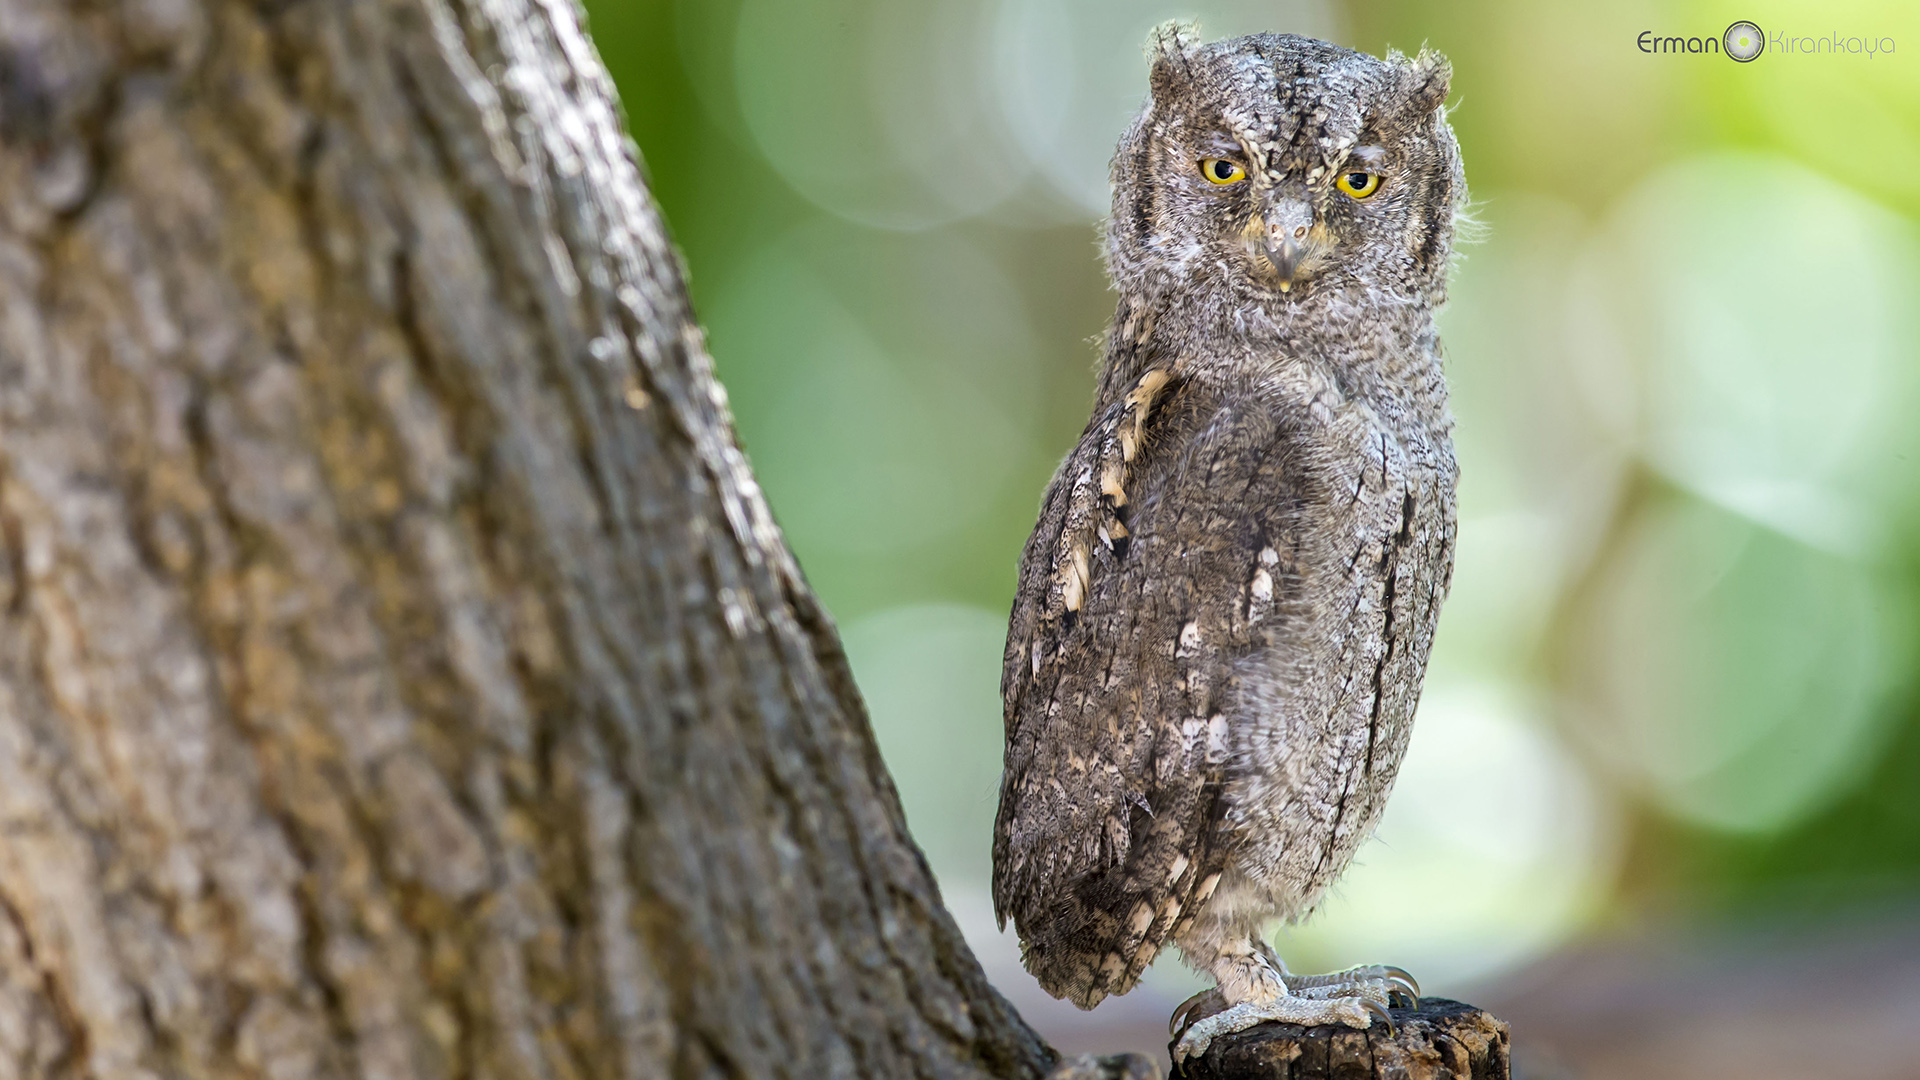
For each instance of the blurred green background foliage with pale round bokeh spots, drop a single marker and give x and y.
(1685, 366)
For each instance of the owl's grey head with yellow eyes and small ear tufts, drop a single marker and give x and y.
(1274, 170)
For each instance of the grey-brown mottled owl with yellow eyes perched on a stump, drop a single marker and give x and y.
(1228, 602)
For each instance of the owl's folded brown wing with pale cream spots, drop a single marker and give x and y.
(1161, 558)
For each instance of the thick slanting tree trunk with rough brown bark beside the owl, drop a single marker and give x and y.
(400, 674)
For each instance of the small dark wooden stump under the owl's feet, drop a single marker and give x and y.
(1437, 1041)
